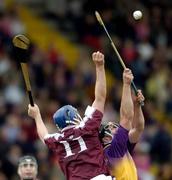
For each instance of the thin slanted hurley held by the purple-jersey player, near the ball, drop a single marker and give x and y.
(99, 19)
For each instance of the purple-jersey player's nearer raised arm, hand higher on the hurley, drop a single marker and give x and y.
(126, 109)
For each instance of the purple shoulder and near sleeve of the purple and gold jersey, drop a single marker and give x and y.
(118, 146)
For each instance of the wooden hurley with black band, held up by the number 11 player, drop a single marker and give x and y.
(21, 44)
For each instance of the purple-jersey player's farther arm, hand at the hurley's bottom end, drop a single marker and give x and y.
(138, 120)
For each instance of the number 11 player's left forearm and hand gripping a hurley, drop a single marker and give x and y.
(34, 112)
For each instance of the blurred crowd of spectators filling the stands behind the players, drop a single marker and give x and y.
(145, 46)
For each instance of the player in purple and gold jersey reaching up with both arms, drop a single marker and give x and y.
(119, 139)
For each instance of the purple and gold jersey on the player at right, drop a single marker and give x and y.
(121, 163)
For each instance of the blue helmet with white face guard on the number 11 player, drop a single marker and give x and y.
(65, 116)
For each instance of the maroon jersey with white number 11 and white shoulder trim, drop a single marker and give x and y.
(78, 148)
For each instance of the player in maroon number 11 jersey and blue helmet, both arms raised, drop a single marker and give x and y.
(76, 144)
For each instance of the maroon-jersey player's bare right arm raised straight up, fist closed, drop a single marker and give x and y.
(100, 86)
